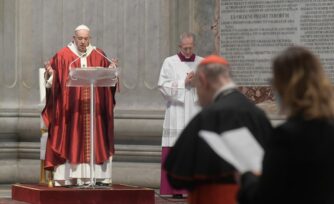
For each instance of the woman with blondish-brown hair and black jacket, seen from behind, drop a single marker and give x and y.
(298, 166)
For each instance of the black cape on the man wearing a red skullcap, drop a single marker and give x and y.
(192, 162)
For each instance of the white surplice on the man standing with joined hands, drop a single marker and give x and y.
(182, 102)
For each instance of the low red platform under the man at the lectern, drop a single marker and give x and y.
(117, 193)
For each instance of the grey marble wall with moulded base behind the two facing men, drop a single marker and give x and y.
(141, 33)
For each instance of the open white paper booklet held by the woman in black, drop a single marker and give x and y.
(238, 147)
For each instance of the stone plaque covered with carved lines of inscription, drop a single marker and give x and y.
(254, 31)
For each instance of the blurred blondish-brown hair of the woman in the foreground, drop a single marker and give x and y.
(300, 80)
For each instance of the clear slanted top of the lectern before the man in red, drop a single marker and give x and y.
(98, 76)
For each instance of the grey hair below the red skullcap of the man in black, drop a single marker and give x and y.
(213, 71)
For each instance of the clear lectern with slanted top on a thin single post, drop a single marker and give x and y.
(92, 77)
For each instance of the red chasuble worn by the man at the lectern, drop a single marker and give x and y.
(66, 114)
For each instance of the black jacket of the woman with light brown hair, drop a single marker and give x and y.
(298, 166)
